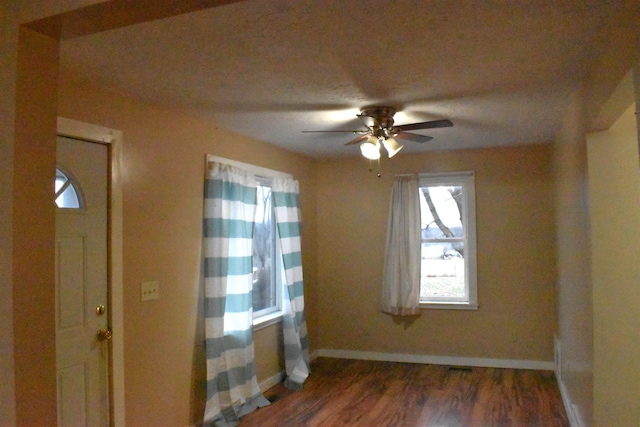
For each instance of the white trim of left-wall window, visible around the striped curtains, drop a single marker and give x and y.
(275, 316)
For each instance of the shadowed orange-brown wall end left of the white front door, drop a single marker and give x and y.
(34, 228)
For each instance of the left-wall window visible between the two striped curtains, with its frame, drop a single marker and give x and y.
(266, 256)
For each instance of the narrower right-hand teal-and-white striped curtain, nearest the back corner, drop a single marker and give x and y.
(296, 346)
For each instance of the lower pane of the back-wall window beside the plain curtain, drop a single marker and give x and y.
(442, 271)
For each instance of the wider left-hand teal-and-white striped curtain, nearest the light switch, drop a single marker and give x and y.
(229, 209)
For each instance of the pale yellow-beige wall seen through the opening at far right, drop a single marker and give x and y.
(614, 190)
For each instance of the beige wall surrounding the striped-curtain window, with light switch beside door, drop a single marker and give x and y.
(163, 172)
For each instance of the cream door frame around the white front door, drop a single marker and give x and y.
(113, 139)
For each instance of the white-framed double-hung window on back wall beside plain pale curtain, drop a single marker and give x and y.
(448, 253)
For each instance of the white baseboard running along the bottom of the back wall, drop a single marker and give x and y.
(541, 365)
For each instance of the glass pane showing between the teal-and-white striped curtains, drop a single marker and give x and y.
(264, 295)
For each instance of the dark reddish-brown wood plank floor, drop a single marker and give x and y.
(341, 392)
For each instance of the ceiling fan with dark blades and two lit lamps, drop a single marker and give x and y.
(381, 131)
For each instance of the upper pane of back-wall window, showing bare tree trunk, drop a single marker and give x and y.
(441, 208)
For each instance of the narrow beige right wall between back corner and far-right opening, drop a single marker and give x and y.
(575, 318)
